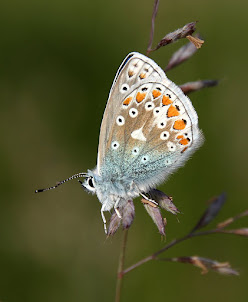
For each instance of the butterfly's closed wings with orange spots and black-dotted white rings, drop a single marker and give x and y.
(152, 129)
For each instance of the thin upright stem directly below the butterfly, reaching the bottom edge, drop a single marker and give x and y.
(120, 274)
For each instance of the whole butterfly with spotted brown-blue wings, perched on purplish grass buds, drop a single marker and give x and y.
(149, 129)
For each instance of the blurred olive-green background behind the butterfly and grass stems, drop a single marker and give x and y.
(57, 62)
